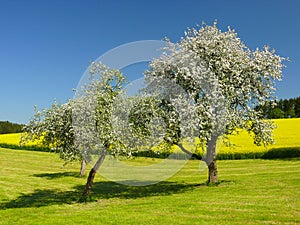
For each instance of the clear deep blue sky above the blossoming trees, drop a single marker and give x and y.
(45, 46)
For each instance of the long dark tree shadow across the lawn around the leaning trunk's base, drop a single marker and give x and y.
(100, 190)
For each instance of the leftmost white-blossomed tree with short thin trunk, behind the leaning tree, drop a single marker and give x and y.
(52, 128)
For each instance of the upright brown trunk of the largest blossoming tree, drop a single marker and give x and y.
(211, 160)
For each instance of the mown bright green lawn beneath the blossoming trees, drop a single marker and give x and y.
(36, 189)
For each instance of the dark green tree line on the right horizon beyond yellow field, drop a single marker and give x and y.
(283, 108)
